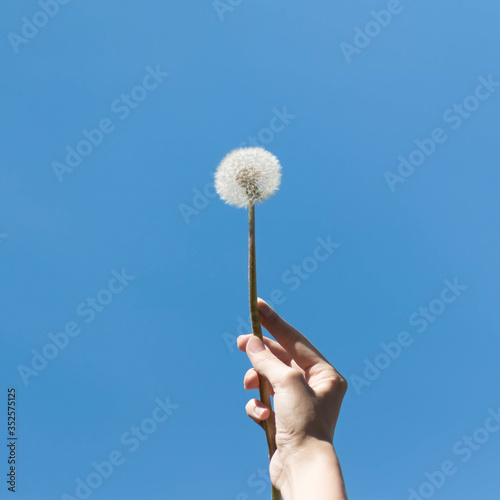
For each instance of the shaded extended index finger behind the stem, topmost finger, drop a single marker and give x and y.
(297, 345)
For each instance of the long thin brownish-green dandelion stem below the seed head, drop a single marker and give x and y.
(264, 386)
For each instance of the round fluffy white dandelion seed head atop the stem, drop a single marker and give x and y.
(247, 175)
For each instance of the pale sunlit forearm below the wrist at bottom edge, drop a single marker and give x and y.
(315, 474)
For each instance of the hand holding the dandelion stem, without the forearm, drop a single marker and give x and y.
(306, 388)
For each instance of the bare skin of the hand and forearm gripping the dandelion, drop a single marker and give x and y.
(307, 392)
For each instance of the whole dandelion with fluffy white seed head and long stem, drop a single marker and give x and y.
(245, 177)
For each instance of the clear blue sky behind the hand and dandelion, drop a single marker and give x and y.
(346, 107)
